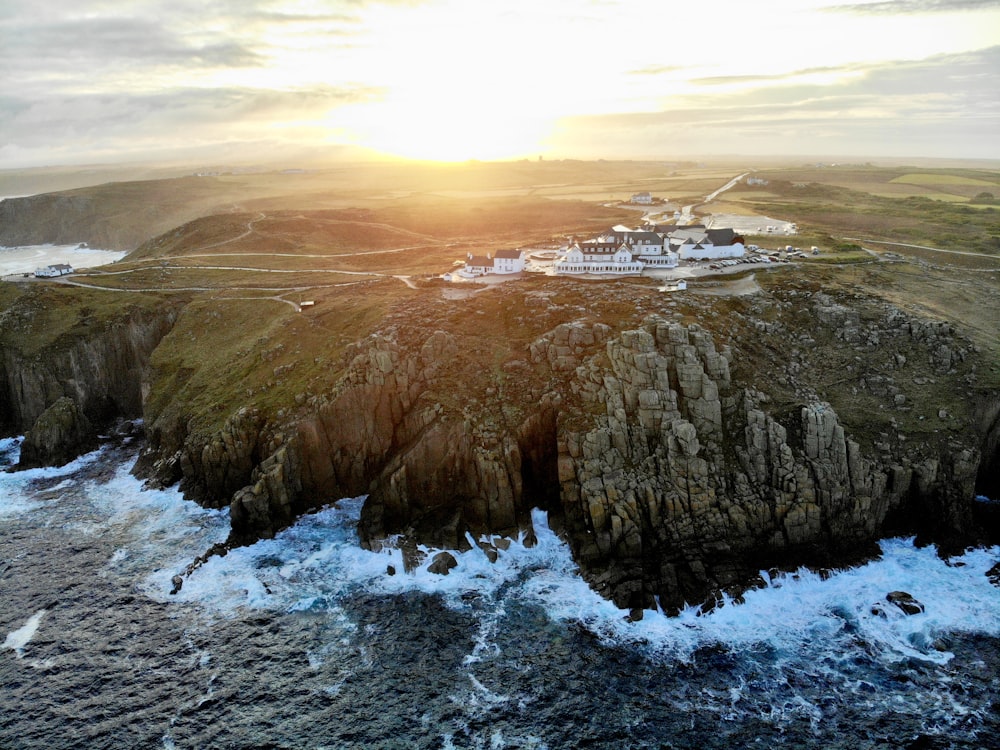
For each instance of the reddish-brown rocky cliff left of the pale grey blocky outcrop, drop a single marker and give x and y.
(434, 472)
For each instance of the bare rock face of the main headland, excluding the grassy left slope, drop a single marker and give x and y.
(675, 470)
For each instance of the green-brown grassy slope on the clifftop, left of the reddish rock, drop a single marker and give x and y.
(224, 354)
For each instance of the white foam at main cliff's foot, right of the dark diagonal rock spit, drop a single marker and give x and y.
(312, 565)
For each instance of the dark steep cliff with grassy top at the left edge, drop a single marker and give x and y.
(69, 370)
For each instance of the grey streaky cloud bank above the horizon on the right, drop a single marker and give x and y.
(942, 105)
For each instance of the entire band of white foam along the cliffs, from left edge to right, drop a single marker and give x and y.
(315, 564)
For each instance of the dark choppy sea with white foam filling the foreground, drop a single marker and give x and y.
(307, 641)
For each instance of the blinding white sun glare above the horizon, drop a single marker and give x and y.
(453, 92)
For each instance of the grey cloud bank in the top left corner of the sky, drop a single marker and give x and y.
(76, 42)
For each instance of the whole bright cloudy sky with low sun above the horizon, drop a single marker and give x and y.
(117, 81)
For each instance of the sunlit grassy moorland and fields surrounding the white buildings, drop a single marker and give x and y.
(241, 272)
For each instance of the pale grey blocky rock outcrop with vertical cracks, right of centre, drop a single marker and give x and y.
(684, 484)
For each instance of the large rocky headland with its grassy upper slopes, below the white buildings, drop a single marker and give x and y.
(681, 443)
